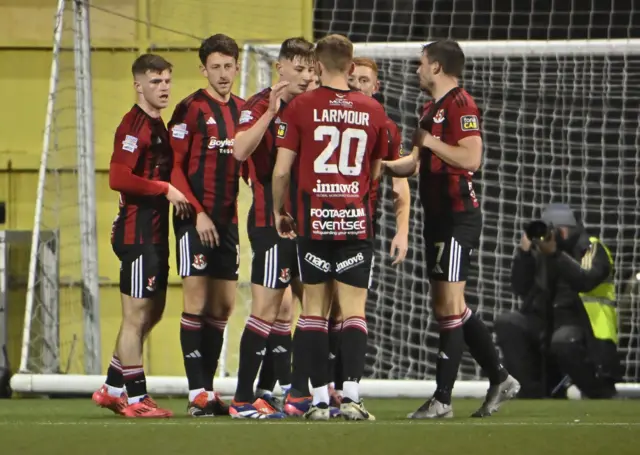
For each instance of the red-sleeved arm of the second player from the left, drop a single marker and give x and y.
(181, 131)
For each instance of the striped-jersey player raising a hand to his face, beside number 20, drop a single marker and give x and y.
(274, 263)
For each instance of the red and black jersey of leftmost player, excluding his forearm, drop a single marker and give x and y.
(142, 144)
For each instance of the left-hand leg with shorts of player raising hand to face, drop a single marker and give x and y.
(269, 279)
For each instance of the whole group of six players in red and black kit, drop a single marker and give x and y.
(313, 149)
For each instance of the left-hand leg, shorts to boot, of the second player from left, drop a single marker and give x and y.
(193, 260)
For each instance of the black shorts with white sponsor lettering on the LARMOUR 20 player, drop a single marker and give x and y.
(347, 261)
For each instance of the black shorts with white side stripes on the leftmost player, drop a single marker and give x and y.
(144, 269)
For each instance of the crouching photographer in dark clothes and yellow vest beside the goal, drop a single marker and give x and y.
(567, 325)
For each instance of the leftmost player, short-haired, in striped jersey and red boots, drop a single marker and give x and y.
(140, 169)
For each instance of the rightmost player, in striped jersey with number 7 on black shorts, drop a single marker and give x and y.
(447, 151)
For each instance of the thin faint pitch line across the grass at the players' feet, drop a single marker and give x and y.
(392, 423)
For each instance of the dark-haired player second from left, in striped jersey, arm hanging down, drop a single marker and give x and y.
(202, 131)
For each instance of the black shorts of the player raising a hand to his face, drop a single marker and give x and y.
(274, 262)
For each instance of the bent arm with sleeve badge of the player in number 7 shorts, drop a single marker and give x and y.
(467, 154)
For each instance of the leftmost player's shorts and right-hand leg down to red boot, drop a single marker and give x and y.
(143, 282)
